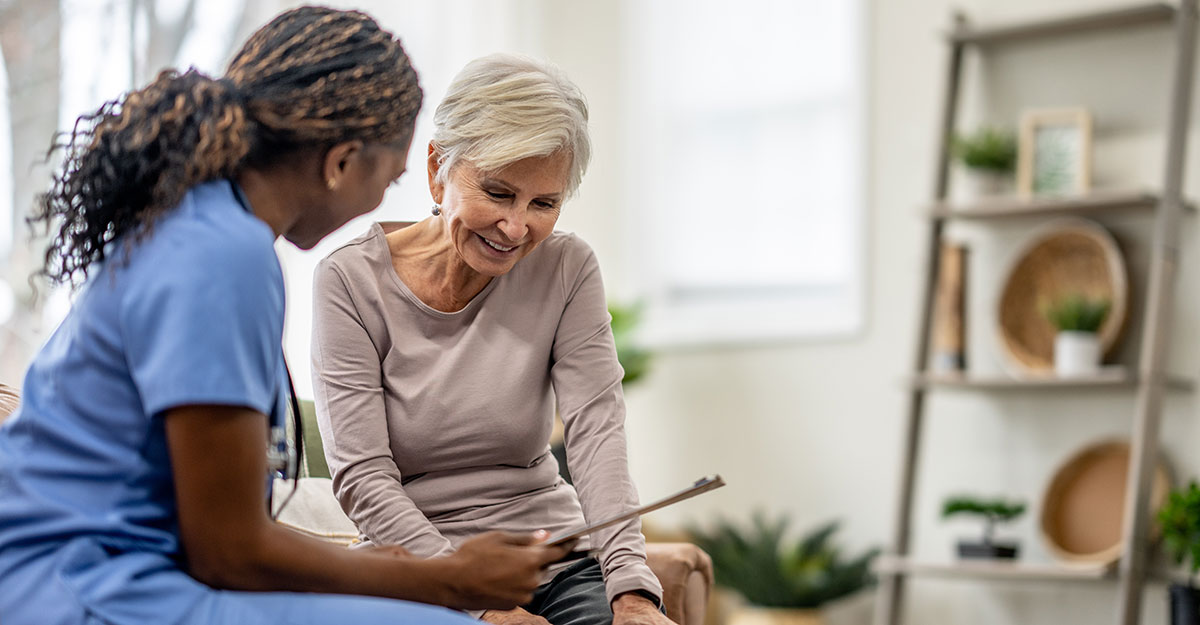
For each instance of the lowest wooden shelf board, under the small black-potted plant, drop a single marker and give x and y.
(1016, 572)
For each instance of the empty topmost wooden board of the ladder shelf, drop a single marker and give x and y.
(1053, 27)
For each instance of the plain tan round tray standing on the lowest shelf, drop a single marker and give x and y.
(1083, 509)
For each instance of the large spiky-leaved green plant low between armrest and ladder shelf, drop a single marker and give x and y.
(783, 582)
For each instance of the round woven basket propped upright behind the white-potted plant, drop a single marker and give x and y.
(1069, 257)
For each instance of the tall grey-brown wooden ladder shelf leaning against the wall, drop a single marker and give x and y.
(1149, 380)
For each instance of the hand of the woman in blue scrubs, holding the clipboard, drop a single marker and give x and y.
(499, 570)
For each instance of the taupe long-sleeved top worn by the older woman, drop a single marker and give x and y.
(437, 425)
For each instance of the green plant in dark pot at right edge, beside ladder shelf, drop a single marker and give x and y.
(1180, 520)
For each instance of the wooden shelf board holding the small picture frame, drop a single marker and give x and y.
(1015, 207)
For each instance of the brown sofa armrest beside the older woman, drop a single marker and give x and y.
(686, 573)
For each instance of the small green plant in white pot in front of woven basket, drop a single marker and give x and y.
(1077, 347)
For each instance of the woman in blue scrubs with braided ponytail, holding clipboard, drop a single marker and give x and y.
(134, 476)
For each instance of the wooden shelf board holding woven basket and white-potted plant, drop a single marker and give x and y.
(1108, 378)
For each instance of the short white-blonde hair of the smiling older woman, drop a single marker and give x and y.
(503, 109)
